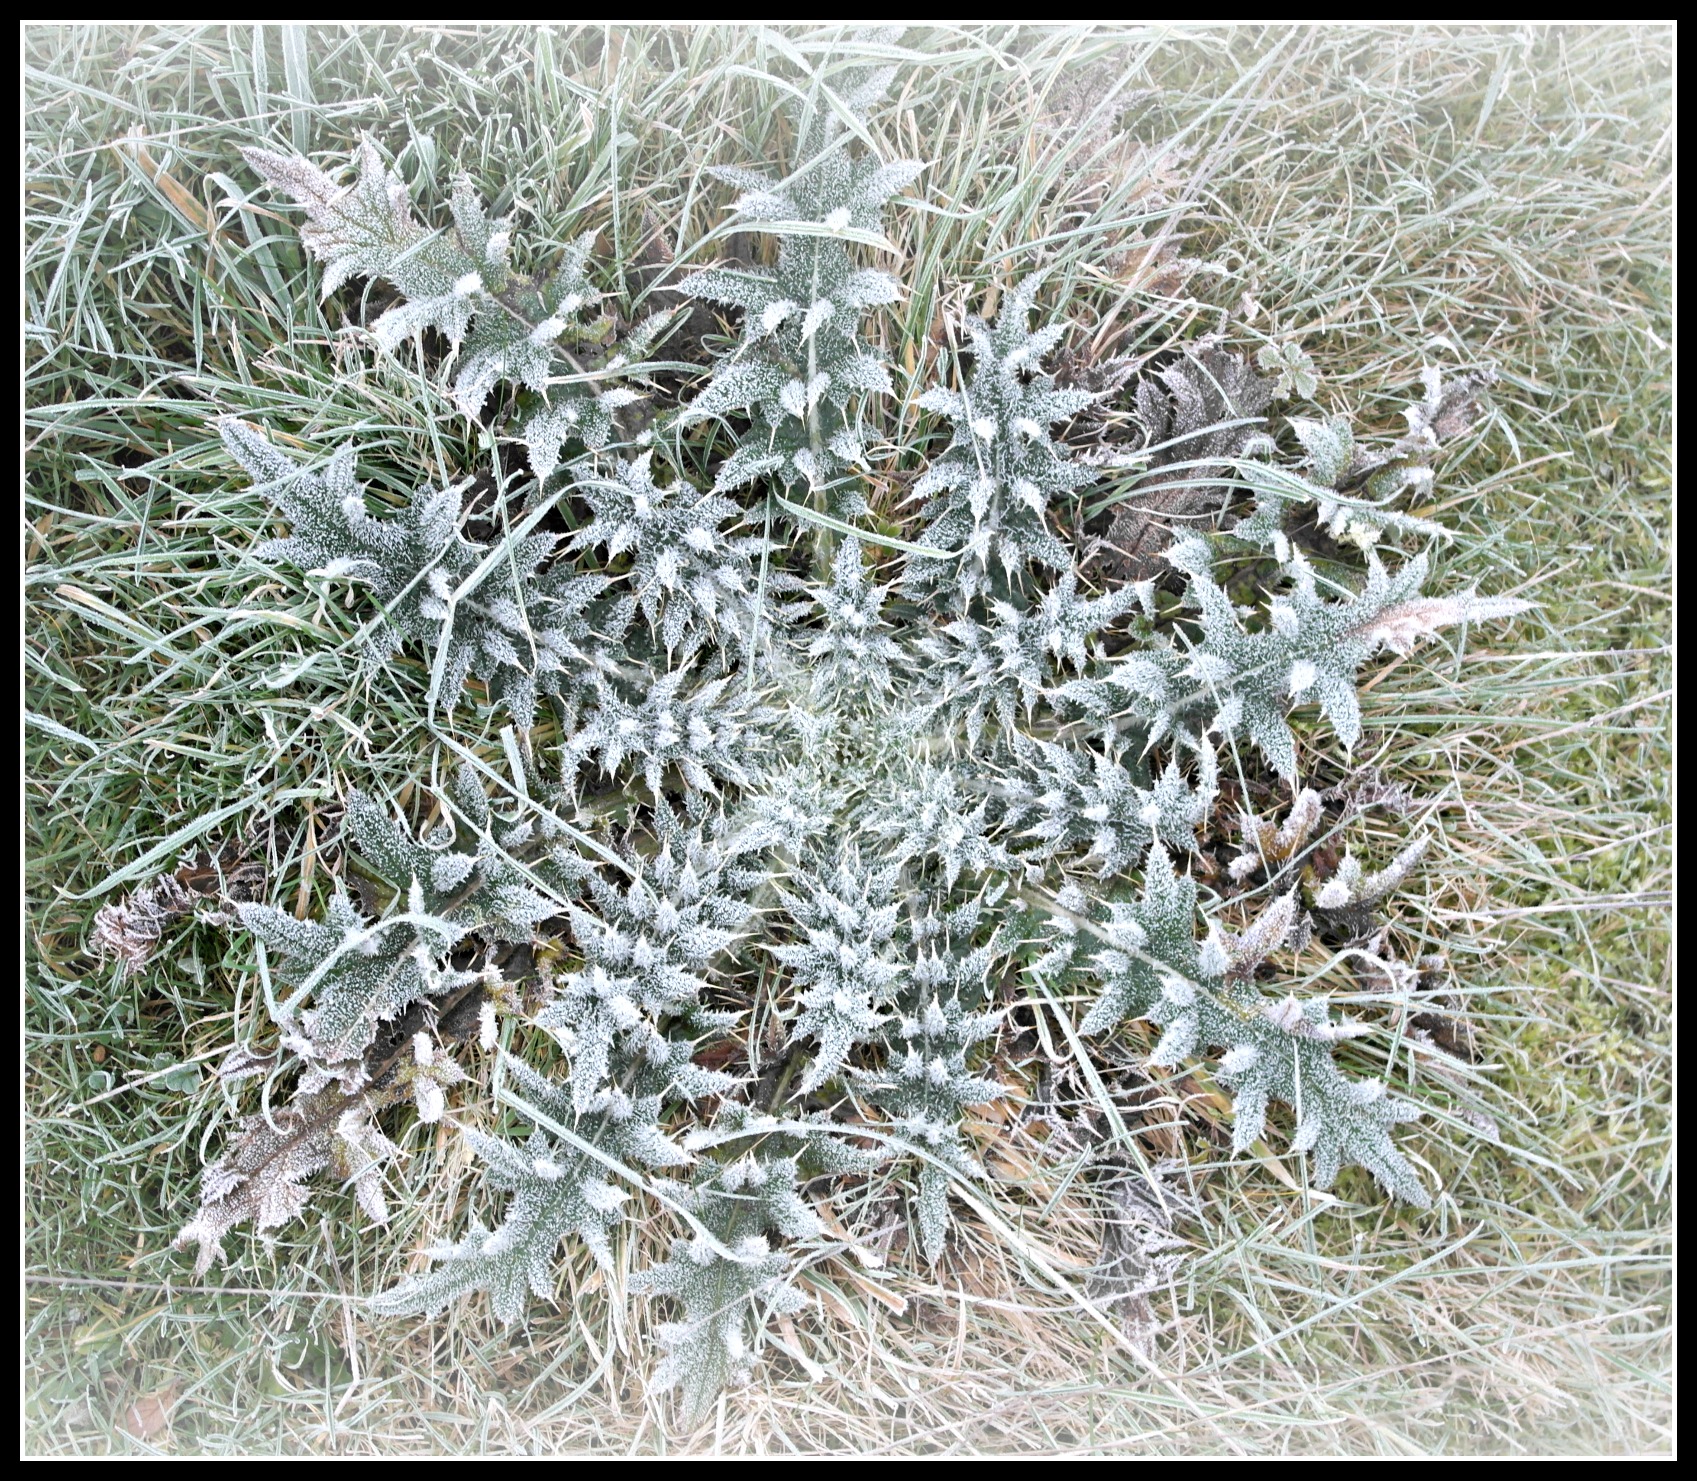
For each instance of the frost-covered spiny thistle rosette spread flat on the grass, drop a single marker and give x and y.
(781, 849)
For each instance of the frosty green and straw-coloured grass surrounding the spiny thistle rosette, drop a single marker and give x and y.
(1377, 198)
